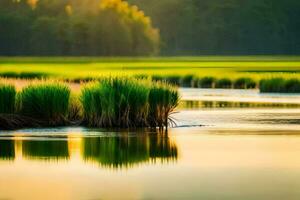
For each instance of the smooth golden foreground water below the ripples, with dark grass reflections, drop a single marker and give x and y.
(147, 166)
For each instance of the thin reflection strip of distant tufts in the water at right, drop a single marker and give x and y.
(229, 104)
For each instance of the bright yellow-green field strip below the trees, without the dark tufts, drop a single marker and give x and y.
(219, 67)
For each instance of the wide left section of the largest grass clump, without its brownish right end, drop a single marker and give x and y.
(115, 102)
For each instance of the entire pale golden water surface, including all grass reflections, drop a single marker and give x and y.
(214, 152)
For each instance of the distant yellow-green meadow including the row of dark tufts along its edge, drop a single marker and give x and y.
(241, 72)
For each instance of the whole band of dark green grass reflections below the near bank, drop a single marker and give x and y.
(108, 151)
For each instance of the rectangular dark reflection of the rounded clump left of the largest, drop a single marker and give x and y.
(45, 149)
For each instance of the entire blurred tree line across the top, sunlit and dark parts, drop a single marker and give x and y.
(174, 27)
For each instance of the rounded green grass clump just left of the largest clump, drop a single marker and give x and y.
(48, 102)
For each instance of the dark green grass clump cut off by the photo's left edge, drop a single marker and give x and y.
(7, 99)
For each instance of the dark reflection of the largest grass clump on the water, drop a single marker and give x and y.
(126, 152)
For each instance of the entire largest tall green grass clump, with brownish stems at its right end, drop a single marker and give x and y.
(126, 102)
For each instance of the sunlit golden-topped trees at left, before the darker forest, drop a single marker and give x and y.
(75, 27)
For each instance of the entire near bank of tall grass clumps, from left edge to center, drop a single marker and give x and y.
(111, 102)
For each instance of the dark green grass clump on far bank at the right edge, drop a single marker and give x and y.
(279, 85)
